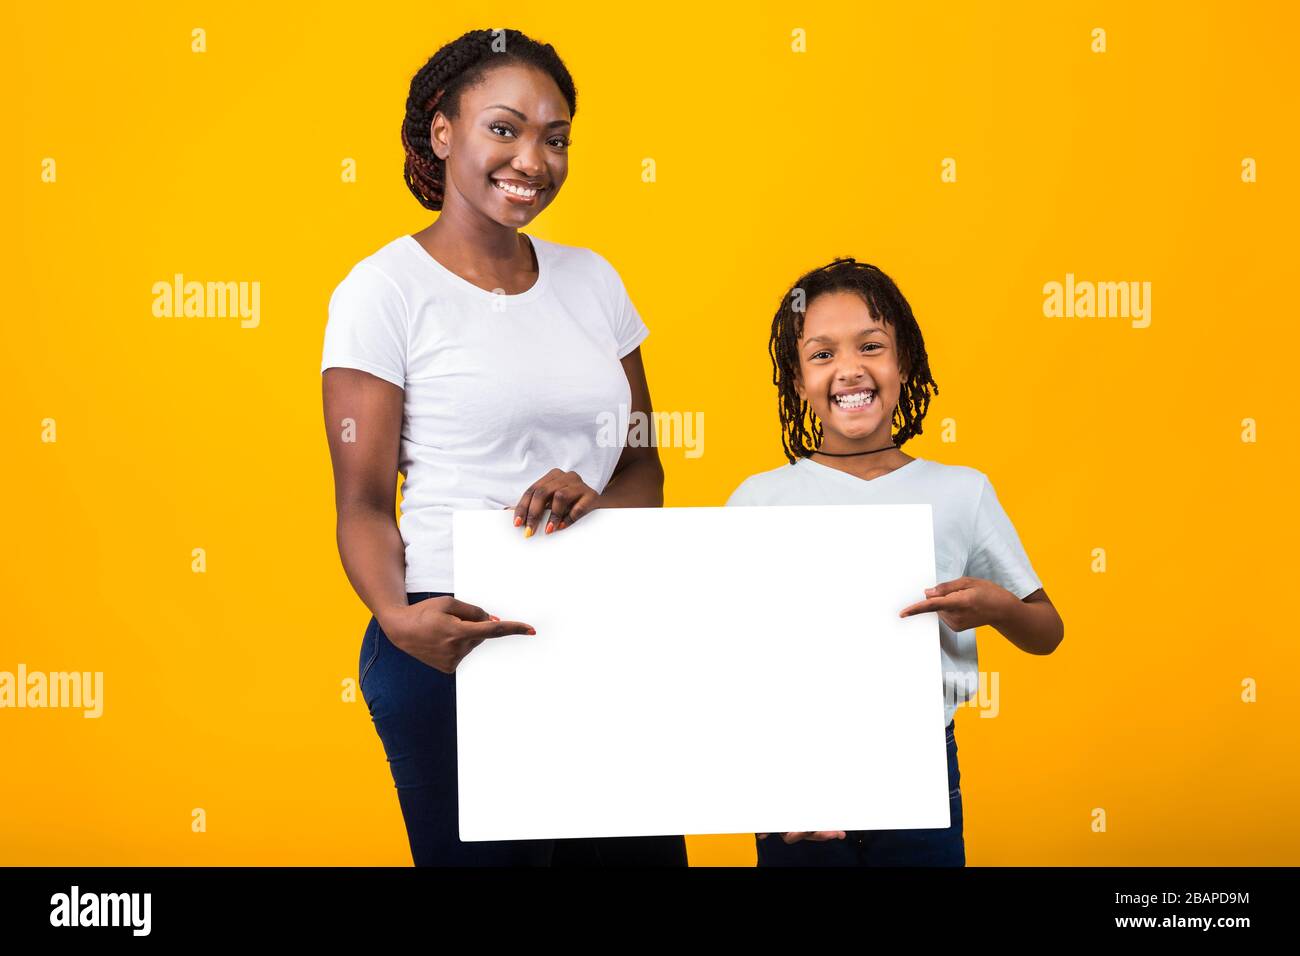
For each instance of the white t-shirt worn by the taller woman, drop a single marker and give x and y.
(500, 390)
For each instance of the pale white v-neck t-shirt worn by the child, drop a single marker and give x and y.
(973, 535)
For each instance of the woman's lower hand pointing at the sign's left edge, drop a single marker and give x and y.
(443, 630)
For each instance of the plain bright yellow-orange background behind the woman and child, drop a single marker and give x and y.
(223, 690)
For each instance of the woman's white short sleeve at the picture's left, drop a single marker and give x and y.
(367, 326)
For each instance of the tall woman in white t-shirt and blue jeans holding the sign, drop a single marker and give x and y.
(475, 361)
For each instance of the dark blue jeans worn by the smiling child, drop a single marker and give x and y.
(925, 847)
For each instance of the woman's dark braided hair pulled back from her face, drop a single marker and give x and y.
(439, 85)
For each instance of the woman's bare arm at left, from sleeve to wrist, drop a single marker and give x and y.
(363, 423)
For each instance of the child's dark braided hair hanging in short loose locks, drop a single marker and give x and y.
(801, 431)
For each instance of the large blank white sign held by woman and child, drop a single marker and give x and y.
(701, 671)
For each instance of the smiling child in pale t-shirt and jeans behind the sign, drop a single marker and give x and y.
(855, 384)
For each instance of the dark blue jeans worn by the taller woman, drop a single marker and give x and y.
(414, 710)
